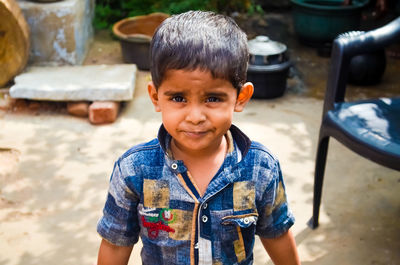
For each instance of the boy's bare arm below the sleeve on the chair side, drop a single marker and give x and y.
(282, 250)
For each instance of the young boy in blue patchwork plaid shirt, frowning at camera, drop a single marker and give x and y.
(200, 192)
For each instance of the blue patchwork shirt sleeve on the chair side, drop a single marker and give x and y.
(275, 217)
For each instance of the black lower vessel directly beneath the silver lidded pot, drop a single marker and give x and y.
(269, 80)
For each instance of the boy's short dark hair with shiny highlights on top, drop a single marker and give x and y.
(200, 40)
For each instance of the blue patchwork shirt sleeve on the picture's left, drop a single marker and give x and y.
(119, 224)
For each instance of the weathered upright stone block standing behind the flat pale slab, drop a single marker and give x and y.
(60, 31)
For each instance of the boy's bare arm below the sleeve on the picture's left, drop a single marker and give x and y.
(110, 254)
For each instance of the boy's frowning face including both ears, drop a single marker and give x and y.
(197, 109)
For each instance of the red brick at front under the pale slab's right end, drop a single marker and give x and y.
(103, 112)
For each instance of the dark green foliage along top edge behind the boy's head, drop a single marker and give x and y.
(107, 12)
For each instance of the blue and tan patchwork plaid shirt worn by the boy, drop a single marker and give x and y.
(154, 196)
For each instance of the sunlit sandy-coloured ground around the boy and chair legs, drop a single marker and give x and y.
(54, 172)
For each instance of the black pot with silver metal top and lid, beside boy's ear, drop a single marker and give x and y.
(268, 67)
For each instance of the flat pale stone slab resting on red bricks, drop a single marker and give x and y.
(75, 83)
